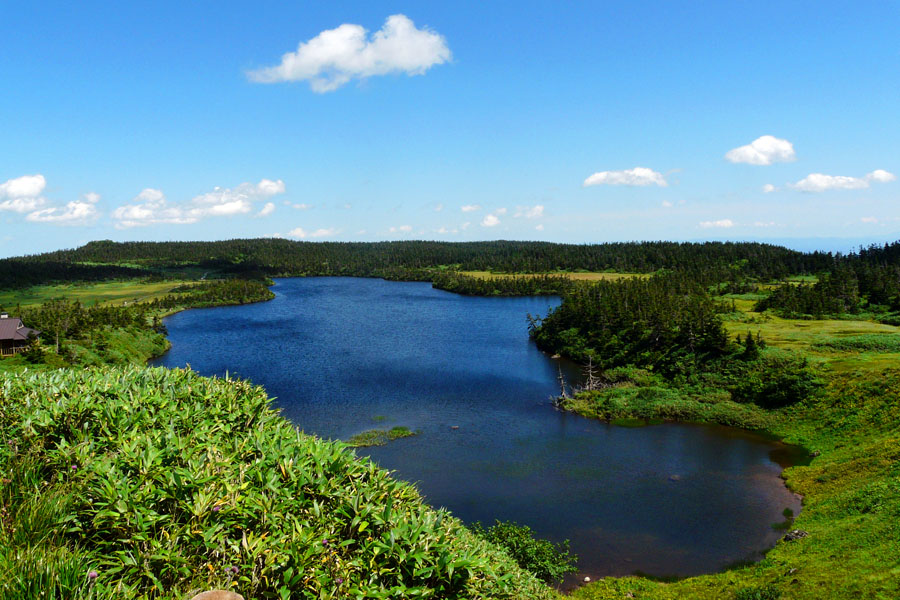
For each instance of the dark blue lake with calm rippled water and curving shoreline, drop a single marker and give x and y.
(344, 355)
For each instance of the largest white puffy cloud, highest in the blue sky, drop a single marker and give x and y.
(336, 56)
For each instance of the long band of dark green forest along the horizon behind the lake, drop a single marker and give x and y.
(710, 261)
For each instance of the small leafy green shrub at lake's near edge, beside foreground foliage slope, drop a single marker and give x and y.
(548, 561)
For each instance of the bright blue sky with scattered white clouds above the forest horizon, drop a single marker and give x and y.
(575, 122)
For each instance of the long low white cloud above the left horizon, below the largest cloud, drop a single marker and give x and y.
(151, 207)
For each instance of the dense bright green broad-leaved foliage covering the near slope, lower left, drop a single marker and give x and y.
(164, 482)
